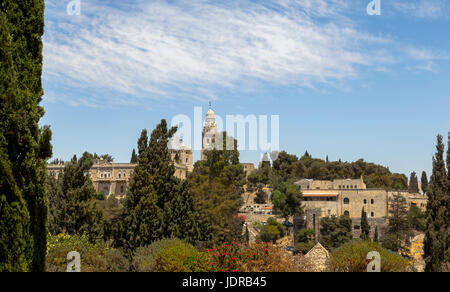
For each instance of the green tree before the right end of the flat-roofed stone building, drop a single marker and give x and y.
(398, 229)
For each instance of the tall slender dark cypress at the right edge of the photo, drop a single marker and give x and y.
(436, 243)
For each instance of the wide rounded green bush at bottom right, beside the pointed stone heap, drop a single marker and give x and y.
(351, 257)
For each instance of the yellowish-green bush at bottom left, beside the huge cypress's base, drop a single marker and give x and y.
(95, 257)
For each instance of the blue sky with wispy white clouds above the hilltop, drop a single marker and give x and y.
(344, 84)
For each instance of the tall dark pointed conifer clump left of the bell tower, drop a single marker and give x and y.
(158, 205)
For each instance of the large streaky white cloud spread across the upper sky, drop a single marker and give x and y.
(191, 47)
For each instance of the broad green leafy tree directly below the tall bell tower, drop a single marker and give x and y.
(217, 186)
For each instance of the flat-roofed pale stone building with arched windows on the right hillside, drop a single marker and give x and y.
(348, 197)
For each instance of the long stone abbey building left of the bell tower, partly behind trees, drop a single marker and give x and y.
(113, 178)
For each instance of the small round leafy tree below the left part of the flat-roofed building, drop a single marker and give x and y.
(335, 231)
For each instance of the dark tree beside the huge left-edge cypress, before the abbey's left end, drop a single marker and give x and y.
(73, 208)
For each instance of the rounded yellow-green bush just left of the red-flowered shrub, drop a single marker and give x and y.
(166, 255)
